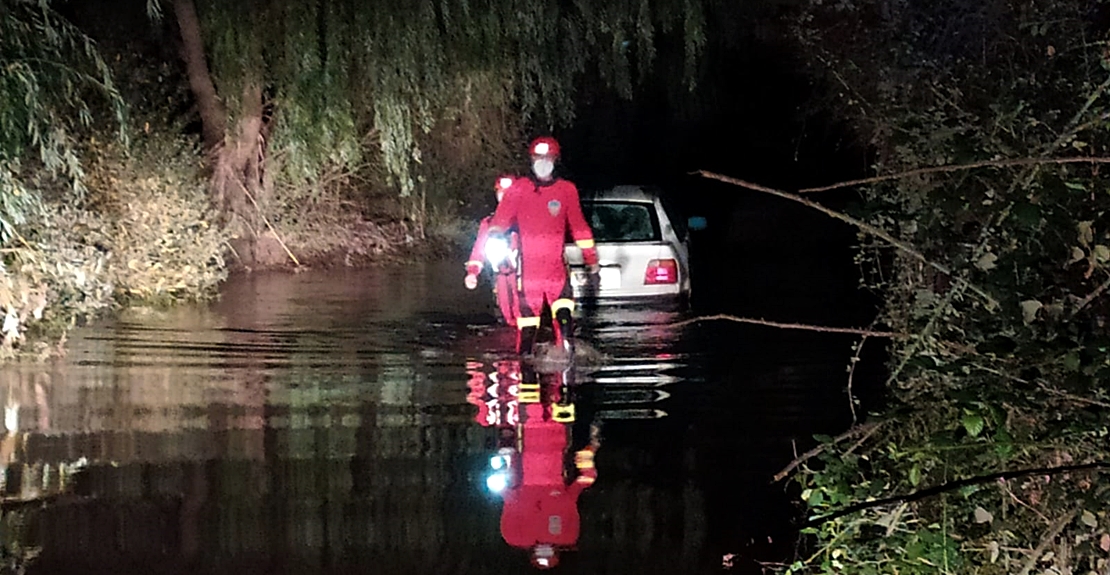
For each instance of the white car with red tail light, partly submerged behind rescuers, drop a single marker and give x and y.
(643, 247)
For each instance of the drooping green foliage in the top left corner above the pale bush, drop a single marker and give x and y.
(49, 73)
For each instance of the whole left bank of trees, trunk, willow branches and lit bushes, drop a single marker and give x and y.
(144, 158)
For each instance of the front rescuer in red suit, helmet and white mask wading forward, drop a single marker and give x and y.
(543, 209)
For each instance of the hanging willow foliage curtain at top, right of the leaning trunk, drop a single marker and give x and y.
(334, 73)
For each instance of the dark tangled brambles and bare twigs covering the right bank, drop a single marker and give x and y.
(994, 451)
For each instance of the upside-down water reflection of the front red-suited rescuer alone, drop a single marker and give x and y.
(541, 510)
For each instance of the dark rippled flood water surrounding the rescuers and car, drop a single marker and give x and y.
(329, 422)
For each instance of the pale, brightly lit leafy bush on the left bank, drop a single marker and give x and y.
(144, 236)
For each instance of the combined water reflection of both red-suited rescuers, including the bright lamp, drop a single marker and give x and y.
(541, 501)
